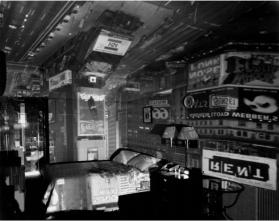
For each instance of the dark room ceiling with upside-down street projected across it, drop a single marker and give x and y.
(32, 31)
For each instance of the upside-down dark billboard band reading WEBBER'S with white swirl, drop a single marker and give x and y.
(233, 102)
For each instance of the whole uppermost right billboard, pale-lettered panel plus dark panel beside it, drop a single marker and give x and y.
(240, 68)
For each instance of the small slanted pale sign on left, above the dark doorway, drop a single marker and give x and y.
(60, 80)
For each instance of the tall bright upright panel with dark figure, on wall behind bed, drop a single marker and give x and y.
(90, 114)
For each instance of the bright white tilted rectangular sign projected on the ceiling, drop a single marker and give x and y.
(111, 43)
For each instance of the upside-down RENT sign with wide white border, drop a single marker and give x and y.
(251, 170)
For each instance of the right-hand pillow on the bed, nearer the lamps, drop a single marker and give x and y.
(143, 162)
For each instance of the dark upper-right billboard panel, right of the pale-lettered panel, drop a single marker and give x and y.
(250, 68)
